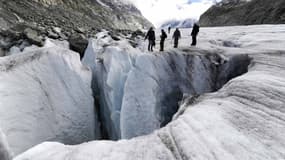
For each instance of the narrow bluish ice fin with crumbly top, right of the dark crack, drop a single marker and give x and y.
(110, 66)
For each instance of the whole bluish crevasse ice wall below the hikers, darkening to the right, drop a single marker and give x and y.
(139, 92)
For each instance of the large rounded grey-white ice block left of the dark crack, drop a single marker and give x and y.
(45, 96)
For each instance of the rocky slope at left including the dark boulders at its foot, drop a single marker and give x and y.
(72, 20)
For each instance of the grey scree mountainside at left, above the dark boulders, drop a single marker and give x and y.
(87, 14)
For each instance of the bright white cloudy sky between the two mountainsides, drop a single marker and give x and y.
(159, 11)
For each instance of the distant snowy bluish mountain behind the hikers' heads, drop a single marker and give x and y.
(186, 23)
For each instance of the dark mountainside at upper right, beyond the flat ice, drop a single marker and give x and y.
(244, 12)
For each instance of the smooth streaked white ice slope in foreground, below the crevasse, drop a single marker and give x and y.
(243, 120)
